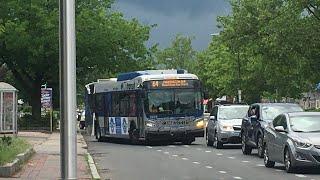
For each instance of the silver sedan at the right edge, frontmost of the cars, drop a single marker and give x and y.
(294, 140)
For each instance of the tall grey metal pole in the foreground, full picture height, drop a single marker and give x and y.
(68, 90)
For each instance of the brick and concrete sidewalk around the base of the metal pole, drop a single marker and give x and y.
(45, 164)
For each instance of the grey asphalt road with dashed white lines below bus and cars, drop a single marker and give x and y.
(118, 160)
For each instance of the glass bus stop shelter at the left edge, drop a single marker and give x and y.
(8, 108)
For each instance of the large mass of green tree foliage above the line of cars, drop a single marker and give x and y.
(277, 43)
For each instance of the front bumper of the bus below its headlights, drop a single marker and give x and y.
(174, 135)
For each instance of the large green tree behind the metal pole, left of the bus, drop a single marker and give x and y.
(29, 44)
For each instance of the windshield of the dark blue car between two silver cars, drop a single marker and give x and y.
(270, 112)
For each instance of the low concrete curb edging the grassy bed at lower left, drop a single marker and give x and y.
(11, 168)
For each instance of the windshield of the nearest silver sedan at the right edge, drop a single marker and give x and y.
(305, 123)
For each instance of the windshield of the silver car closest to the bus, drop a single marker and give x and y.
(232, 112)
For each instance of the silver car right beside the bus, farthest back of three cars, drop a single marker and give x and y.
(224, 125)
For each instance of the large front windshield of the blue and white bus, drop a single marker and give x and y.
(173, 101)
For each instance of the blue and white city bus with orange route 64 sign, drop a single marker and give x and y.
(151, 105)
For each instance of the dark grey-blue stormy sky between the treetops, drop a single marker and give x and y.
(195, 18)
